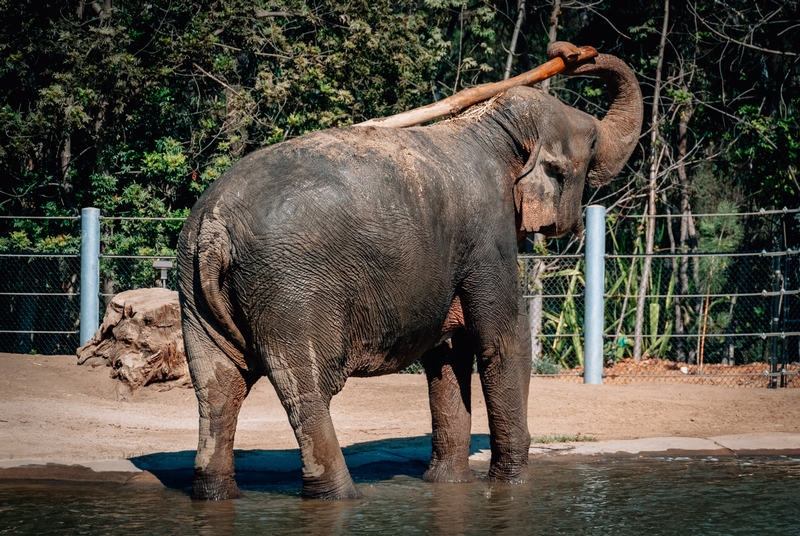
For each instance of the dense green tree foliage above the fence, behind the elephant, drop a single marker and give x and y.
(168, 96)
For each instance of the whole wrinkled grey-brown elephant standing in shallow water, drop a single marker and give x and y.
(357, 251)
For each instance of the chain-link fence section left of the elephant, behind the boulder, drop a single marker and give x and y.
(40, 288)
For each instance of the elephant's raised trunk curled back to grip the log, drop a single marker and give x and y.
(619, 130)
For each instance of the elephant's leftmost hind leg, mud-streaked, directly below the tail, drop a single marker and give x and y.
(221, 388)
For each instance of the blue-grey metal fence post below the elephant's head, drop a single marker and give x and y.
(595, 283)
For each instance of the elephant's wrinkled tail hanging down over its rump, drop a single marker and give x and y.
(214, 250)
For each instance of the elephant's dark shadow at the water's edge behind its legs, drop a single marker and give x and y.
(279, 470)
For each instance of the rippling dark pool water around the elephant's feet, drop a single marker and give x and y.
(645, 496)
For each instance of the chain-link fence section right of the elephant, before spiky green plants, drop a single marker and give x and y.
(709, 317)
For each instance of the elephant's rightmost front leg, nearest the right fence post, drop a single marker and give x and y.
(505, 370)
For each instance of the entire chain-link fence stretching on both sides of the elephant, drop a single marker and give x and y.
(711, 317)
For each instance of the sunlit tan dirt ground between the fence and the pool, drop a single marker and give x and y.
(50, 408)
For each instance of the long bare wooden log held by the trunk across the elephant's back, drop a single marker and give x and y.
(463, 99)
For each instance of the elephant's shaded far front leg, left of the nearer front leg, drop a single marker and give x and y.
(449, 371)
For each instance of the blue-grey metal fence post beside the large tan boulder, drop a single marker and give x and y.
(90, 273)
